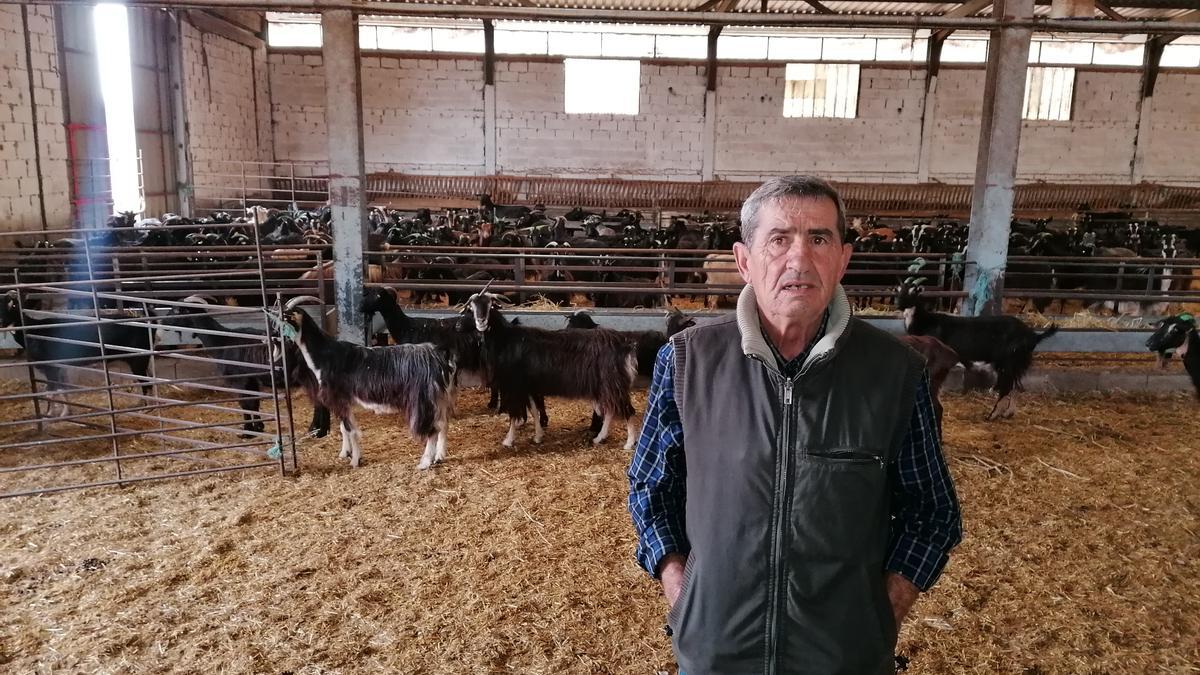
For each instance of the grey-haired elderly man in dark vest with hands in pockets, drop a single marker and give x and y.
(789, 488)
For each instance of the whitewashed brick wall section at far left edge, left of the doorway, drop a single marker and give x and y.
(22, 189)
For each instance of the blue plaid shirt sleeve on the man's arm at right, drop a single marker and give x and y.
(926, 519)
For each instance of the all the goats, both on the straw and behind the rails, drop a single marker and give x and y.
(418, 374)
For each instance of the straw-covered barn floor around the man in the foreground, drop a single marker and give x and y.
(1082, 555)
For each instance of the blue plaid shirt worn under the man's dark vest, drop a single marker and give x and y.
(926, 521)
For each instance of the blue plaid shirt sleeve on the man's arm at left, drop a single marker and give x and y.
(658, 473)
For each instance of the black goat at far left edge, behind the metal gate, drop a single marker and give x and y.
(47, 341)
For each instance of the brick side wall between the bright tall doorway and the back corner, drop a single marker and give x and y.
(226, 89)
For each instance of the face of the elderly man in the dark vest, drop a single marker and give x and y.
(796, 259)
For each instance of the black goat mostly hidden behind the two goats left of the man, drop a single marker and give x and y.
(445, 333)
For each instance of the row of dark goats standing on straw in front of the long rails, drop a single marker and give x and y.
(418, 377)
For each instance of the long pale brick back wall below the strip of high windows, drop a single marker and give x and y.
(425, 115)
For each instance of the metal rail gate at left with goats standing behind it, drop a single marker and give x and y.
(113, 434)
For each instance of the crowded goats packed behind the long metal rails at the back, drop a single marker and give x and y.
(442, 254)
